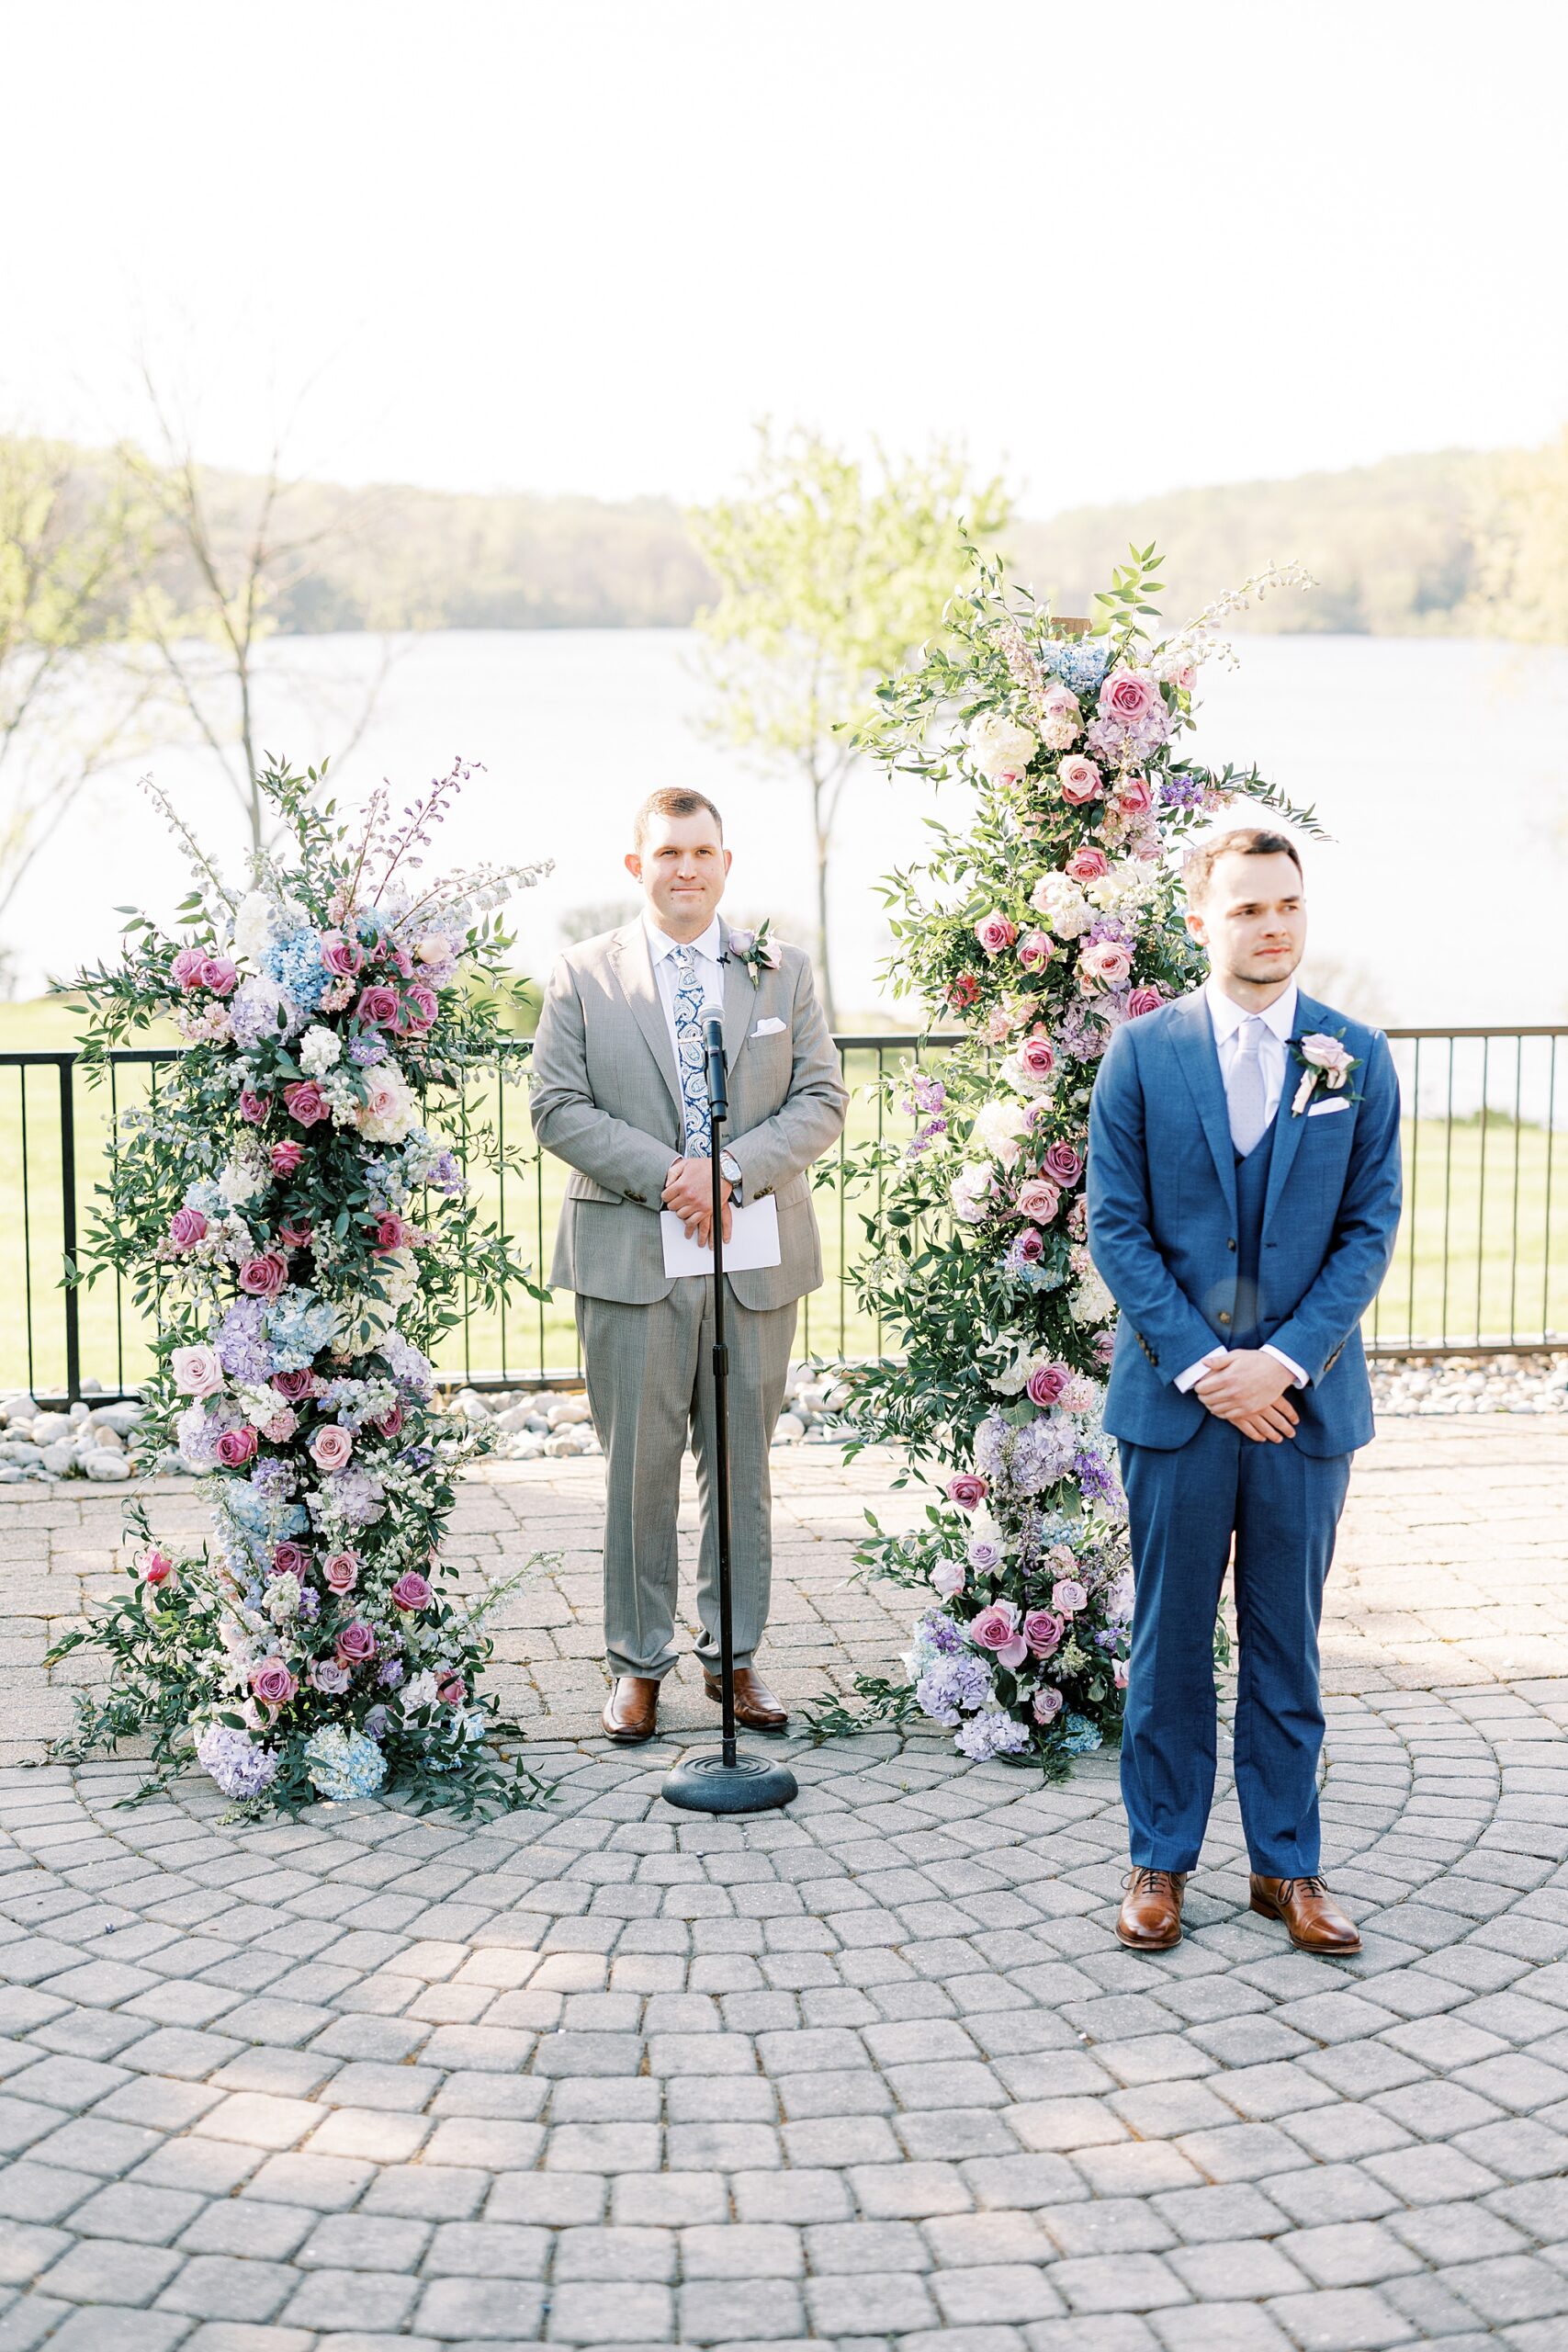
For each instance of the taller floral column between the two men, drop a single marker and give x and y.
(1038, 928)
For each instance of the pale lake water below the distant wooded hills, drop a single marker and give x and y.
(1440, 768)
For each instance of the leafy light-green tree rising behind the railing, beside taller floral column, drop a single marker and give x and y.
(831, 575)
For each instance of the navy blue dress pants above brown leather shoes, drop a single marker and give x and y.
(1282, 1506)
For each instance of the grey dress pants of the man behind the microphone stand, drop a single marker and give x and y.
(650, 1389)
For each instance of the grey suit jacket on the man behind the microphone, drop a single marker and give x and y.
(608, 1102)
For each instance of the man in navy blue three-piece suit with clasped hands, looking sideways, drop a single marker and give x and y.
(1242, 1208)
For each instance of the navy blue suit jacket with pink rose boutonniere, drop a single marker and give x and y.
(1162, 1224)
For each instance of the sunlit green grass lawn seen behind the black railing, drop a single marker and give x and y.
(1482, 1252)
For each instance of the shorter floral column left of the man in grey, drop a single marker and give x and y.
(302, 1236)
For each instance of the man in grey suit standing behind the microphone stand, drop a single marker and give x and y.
(619, 1095)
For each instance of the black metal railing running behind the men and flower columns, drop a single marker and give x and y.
(1482, 1259)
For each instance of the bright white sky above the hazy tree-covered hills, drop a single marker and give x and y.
(587, 243)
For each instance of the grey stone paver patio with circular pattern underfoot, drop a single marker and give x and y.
(866, 2076)
